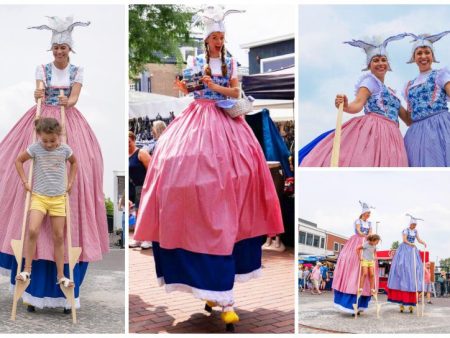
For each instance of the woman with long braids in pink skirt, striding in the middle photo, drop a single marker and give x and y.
(208, 197)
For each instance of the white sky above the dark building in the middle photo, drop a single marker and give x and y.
(256, 24)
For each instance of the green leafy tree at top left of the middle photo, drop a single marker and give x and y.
(156, 31)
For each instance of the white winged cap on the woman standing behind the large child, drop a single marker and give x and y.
(61, 29)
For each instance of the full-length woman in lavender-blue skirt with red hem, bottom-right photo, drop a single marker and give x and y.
(406, 273)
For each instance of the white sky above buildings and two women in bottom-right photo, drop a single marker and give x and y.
(330, 199)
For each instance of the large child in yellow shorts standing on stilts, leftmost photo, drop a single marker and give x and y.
(48, 192)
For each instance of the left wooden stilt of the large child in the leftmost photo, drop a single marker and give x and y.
(17, 244)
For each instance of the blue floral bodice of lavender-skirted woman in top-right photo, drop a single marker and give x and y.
(425, 99)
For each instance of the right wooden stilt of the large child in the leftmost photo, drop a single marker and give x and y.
(73, 252)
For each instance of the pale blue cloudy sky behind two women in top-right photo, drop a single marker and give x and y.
(328, 67)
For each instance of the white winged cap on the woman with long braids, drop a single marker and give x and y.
(213, 18)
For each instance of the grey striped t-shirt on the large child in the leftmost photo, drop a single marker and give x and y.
(49, 169)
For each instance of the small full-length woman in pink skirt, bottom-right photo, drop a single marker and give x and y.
(348, 269)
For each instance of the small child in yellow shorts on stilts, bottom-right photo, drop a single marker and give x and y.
(368, 262)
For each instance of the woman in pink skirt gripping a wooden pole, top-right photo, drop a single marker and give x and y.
(374, 139)
